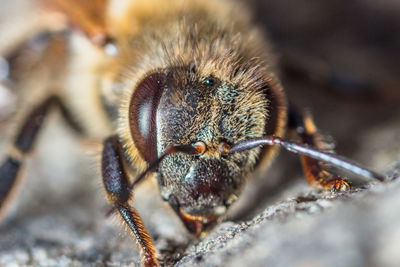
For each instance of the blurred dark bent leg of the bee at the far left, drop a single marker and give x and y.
(22, 145)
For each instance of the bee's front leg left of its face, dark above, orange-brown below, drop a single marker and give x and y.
(116, 184)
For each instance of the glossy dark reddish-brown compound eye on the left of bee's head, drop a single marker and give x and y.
(142, 114)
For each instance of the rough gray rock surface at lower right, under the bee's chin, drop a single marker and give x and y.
(356, 229)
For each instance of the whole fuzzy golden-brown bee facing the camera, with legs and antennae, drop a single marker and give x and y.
(181, 91)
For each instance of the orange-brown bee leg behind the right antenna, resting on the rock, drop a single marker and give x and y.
(314, 169)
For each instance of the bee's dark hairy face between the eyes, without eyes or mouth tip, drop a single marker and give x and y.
(194, 109)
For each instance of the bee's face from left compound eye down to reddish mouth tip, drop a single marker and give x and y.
(177, 106)
